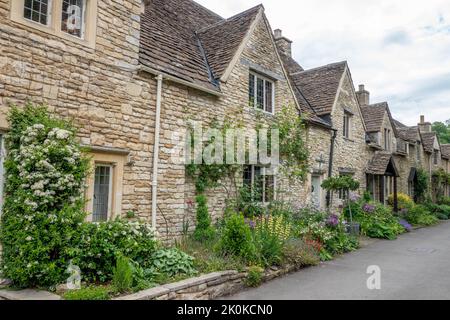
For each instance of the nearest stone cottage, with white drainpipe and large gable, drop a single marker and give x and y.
(132, 74)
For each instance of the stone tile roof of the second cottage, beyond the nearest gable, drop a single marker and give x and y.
(320, 85)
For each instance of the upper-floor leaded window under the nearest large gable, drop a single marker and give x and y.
(261, 93)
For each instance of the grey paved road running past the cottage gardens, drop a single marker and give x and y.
(415, 266)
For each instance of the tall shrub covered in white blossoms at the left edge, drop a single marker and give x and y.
(45, 176)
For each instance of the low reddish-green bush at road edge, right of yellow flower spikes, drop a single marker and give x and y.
(297, 252)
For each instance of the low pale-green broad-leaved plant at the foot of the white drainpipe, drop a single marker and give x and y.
(171, 262)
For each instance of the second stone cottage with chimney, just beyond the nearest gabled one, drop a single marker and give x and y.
(330, 94)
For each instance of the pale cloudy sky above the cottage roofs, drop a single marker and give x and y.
(399, 49)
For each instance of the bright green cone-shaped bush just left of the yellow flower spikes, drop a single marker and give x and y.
(236, 238)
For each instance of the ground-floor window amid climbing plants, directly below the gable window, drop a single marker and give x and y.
(261, 182)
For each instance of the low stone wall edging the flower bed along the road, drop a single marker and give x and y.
(204, 287)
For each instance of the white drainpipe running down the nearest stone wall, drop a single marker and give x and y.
(156, 149)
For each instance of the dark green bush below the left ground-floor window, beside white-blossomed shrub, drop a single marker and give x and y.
(98, 245)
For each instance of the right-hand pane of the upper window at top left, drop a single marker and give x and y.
(72, 17)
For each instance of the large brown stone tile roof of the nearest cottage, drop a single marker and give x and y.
(188, 41)
